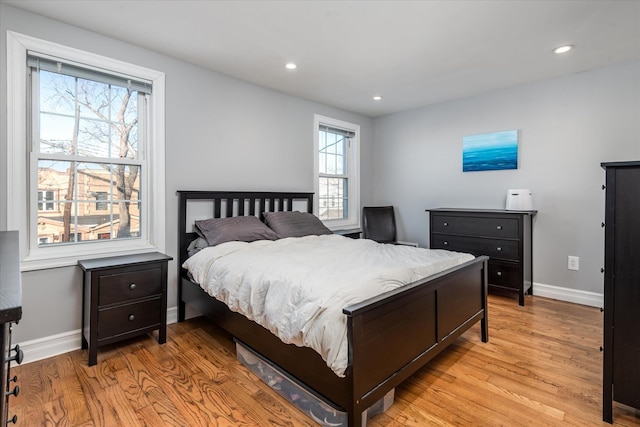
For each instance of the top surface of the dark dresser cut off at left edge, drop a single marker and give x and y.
(10, 284)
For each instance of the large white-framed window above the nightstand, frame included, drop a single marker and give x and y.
(93, 133)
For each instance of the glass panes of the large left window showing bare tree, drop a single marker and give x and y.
(88, 154)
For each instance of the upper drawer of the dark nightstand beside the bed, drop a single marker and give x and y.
(121, 286)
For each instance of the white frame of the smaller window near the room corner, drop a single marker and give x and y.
(353, 173)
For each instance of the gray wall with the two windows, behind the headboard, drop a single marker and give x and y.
(221, 133)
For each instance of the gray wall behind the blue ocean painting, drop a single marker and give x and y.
(567, 125)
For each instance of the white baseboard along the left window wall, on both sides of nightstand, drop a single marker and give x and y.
(65, 342)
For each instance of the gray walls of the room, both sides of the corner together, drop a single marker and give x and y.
(222, 133)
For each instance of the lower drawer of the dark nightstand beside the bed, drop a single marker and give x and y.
(128, 318)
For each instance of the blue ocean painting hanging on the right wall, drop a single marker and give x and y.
(490, 151)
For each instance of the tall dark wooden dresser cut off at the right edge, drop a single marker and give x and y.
(621, 368)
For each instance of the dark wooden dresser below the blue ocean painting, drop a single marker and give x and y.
(505, 236)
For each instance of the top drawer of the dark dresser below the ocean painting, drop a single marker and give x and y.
(506, 228)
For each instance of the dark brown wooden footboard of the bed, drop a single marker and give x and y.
(395, 334)
